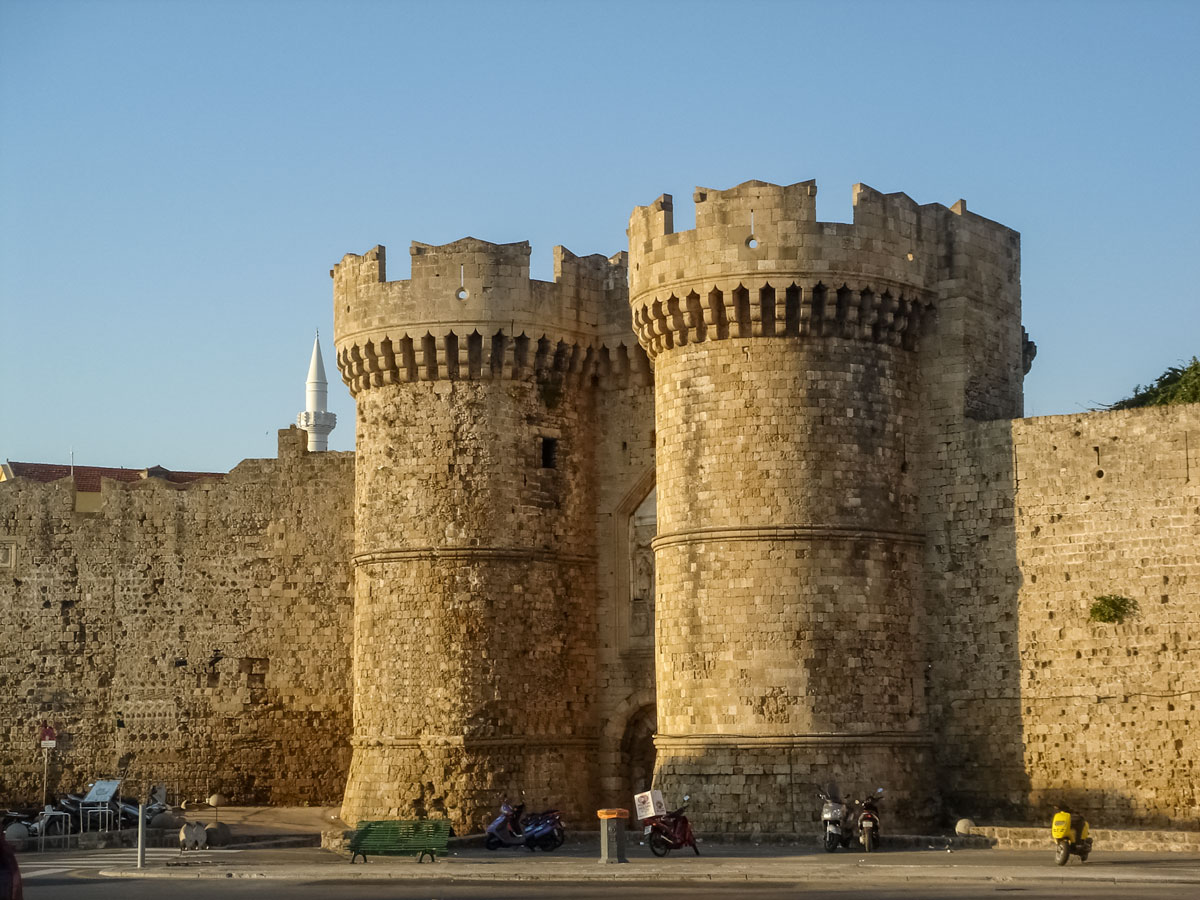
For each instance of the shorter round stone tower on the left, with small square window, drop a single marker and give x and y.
(475, 634)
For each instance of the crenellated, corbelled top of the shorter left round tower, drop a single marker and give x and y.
(471, 311)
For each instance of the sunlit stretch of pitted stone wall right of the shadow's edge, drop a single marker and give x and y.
(1109, 503)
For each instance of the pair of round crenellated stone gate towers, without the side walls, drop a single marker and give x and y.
(801, 380)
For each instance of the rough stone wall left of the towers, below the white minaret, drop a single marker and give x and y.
(194, 635)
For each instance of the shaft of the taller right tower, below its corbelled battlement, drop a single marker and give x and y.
(791, 577)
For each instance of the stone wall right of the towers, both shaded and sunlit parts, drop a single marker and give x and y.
(1034, 704)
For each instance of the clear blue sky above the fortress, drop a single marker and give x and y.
(178, 178)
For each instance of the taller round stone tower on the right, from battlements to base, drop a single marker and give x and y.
(789, 394)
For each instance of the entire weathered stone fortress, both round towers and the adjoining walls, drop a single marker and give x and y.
(866, 566)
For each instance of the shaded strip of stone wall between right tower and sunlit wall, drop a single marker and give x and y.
(971, 615)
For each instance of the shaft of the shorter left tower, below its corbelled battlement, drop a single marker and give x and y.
(476, 614)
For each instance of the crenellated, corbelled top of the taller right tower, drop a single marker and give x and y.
(760, 265)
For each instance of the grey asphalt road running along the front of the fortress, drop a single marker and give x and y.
(899, 874)
